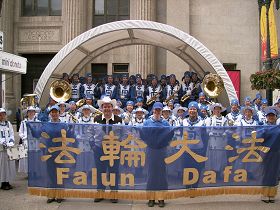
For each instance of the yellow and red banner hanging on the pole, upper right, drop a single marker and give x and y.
(273, 32)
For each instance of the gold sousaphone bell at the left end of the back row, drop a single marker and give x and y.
(60, 90)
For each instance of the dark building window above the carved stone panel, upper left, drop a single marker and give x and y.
(41, 7)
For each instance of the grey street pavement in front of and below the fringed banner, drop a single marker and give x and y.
(19, 199)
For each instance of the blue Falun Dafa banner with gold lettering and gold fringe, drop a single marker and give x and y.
(90, 160)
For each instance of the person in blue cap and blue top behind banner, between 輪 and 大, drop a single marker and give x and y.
(157, 177)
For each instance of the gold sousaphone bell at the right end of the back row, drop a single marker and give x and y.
(212, 85)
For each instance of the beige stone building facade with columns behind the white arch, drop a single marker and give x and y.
(230, 29)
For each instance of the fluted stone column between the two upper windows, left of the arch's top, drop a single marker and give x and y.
(74, 15)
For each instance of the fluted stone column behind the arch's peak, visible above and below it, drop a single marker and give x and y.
(145, 54)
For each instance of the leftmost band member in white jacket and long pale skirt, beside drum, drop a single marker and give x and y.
(7, 139)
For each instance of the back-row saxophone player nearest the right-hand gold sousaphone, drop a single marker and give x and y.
(186, 89)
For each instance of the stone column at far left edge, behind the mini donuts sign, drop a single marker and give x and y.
(7, 26)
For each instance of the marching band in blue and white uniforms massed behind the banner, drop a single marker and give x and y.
(136, 102)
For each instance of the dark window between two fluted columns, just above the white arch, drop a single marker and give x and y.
(106, 11)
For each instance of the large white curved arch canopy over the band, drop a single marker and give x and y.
(92, 43)
